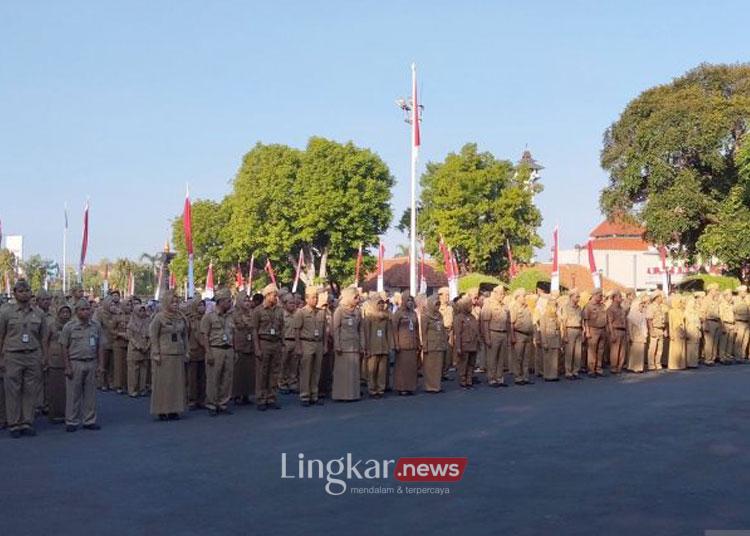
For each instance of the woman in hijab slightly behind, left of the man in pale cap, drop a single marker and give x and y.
(244, 352)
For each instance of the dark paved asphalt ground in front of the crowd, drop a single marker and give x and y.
(667, 453)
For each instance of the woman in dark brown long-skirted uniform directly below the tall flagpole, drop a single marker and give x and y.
(406, 334)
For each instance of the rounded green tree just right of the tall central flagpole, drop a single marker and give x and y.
(478, 203)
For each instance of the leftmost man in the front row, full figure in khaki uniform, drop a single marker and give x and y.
(23, 340)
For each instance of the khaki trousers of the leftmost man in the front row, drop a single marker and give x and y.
(23, 375)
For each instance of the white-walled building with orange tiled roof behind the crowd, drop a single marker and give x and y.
(622, 254)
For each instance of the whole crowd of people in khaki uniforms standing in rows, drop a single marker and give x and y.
(56, 351)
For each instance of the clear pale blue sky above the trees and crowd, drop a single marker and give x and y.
(125, 102)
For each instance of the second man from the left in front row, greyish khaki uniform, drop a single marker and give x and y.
(82, 349)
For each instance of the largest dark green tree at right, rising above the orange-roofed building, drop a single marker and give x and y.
(671, 155)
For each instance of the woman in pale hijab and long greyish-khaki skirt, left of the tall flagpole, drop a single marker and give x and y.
(348, 346)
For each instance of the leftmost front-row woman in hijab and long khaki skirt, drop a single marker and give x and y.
(169, 337)
